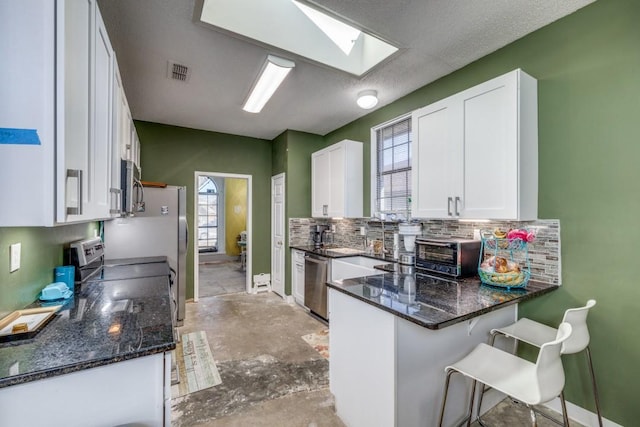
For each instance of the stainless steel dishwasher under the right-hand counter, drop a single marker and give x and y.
(316, 274)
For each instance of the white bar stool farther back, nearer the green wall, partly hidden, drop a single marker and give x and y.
(535, 334)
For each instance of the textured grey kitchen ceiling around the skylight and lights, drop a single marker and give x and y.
(436, 37)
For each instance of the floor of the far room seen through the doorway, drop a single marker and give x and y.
(221, 278)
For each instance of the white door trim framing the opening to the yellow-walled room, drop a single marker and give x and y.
(249, 249)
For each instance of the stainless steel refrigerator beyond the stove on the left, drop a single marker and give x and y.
(159, 230)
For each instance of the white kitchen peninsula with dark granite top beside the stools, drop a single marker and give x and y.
(393, 334)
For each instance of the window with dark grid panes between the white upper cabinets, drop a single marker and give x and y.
(392, 184)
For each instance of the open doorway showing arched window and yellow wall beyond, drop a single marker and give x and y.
(222, 233)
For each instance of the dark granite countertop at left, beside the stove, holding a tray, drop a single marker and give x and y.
(105, 322)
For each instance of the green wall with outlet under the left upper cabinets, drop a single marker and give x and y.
(41, 251)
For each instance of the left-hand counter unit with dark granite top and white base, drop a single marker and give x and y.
(104, 357)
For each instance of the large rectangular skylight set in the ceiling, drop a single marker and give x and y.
(296, 27)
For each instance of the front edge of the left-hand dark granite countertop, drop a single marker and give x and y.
(49, 373)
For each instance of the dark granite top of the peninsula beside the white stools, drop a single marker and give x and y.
(434, 302)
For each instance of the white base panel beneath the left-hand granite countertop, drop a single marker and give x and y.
(131, 392)
